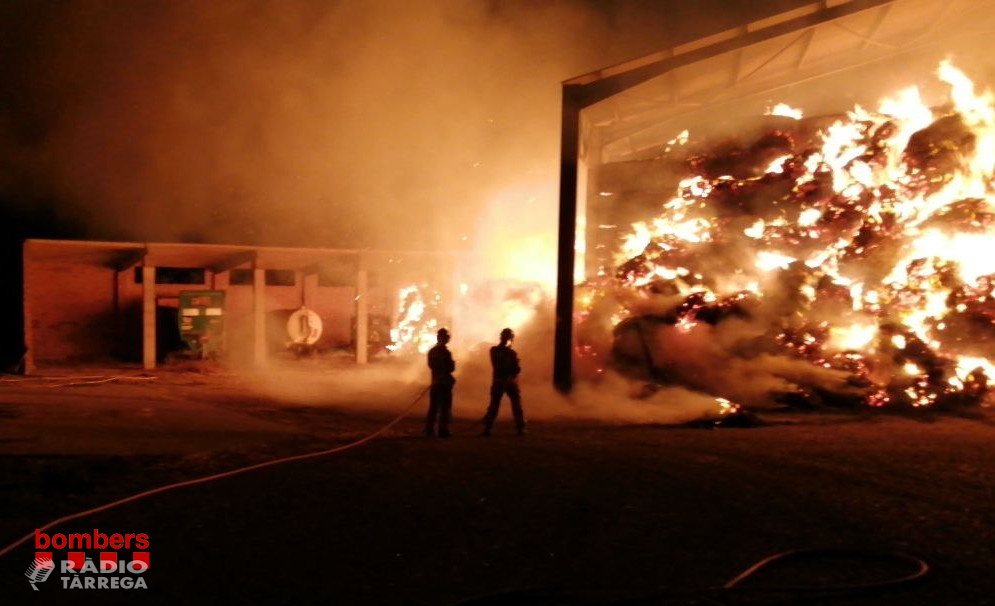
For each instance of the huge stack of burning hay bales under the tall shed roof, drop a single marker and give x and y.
(851, 264)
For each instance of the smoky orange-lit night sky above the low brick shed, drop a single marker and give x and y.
(408, 123)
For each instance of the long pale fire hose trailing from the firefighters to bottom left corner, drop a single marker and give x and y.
(217, 476)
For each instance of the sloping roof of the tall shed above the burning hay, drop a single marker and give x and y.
(640, 104)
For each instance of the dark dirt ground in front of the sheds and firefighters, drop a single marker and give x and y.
(601, 510)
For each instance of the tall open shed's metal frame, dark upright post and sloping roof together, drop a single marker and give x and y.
(825, 54)
